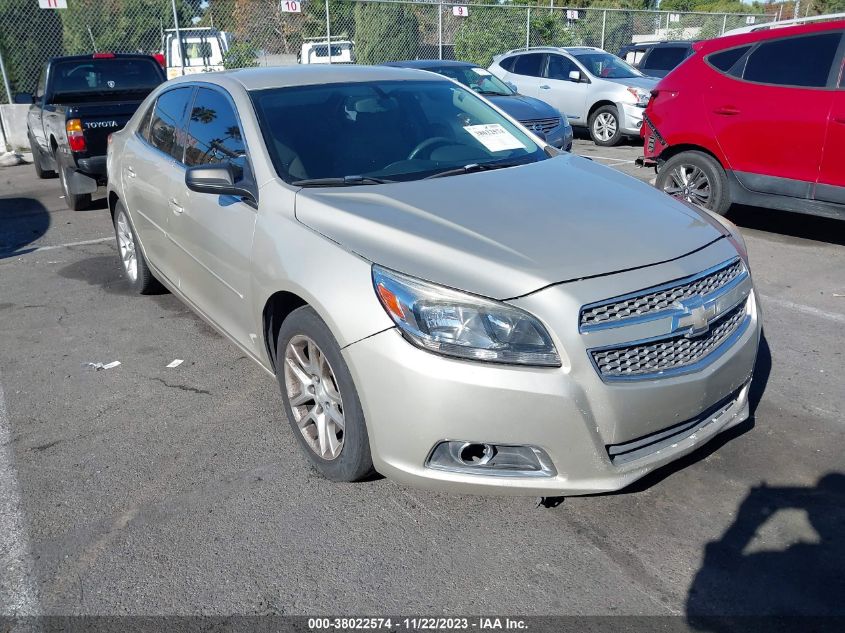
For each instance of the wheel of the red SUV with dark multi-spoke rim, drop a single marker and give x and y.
(695, 177)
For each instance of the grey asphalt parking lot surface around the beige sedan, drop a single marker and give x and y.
(143, 489)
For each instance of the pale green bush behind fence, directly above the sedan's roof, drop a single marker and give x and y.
(384, 32)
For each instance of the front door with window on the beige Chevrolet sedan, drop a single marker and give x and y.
(215, 232)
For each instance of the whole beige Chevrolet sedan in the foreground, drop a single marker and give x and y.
(442, 297)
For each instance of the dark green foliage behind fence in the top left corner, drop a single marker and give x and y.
(28, 37)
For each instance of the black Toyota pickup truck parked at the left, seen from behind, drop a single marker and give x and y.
(79, 101)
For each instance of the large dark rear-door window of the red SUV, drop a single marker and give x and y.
(795, 61)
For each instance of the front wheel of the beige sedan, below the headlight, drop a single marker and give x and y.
(305, 349)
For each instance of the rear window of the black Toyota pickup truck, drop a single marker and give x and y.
(106, 79)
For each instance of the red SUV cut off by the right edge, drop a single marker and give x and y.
(756, 118)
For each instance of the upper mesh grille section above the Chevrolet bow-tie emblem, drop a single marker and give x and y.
(654, 300)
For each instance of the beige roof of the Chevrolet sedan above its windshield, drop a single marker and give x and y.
(306, 75)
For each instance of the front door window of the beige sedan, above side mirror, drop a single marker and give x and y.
(214, 134)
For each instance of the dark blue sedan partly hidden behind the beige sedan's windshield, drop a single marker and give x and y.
(538, 116)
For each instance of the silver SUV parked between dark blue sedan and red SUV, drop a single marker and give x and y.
(597, 90)
